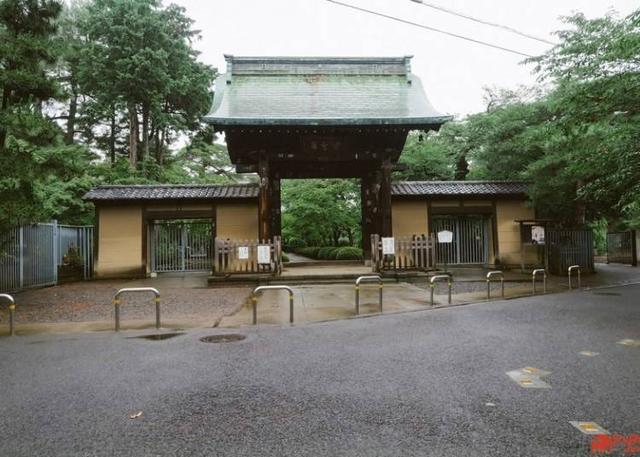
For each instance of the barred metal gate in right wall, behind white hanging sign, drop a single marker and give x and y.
(470, 244)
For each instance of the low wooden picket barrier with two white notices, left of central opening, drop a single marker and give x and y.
(247, 256)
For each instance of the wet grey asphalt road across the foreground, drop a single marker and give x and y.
(412, 384)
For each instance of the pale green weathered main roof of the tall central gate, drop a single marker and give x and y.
(321, 91)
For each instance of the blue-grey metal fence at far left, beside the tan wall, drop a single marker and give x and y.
(30, 255)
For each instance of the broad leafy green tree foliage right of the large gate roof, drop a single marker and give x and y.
(574, 137)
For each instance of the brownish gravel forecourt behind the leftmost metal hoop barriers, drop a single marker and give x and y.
(92, 301)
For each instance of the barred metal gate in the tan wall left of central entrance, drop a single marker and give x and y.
(181, 245)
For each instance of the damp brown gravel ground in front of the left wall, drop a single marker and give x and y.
(186, 301)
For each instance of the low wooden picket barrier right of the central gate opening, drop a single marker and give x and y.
(415, 252)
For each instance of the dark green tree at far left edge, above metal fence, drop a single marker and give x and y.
(41, 176)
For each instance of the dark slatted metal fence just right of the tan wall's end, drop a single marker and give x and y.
(570, 247)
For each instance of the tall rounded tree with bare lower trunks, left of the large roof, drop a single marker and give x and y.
(139, 58)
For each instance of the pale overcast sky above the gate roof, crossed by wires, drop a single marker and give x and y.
(453, 71)
